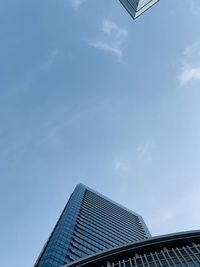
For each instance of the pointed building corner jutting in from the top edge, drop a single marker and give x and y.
(137, 7)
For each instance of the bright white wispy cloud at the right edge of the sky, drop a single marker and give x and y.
(190, 69)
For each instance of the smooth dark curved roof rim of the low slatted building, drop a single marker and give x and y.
(145, 246)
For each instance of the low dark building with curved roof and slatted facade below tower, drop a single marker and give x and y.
(178, 250)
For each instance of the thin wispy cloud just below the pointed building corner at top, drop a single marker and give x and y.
(113, 38)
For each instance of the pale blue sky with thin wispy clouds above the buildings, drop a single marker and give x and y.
(89, 95)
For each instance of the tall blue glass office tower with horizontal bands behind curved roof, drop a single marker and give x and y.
(90, 223)
